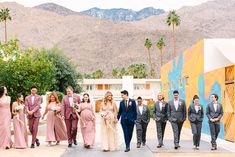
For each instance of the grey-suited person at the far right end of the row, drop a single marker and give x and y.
(214, 112)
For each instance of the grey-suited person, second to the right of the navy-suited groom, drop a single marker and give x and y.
(160, 116)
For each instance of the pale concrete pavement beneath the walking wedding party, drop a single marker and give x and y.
(150, 150)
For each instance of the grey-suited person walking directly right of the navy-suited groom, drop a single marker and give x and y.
(143, 117)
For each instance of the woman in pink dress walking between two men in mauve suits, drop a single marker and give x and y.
(56, 130)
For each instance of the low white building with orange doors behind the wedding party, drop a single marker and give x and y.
(146, 88)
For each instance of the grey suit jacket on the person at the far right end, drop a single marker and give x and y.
(211, 113)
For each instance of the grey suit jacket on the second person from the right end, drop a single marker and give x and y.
(194, 116)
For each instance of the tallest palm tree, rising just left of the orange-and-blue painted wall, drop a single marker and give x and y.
(174, 20)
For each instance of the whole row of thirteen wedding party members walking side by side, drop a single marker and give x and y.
(62, 119)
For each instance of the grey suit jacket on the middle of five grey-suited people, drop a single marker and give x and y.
(178, 115)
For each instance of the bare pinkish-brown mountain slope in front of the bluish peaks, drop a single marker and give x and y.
(94, 43)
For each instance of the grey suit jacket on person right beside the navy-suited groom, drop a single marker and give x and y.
(145, 116)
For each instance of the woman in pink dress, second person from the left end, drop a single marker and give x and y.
(20, 129)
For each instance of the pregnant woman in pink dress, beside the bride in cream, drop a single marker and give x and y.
(87, 121)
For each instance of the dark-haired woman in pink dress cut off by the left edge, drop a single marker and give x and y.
(5, 119)
